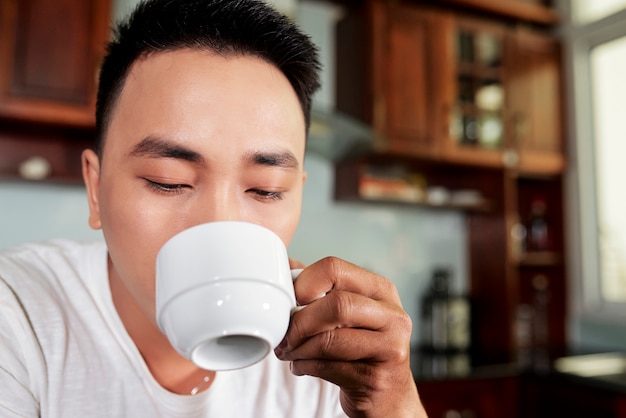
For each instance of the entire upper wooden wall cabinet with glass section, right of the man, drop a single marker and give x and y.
(446, 85)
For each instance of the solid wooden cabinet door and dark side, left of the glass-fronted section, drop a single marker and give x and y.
(385, 56)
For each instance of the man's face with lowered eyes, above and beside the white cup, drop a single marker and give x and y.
(195, 137)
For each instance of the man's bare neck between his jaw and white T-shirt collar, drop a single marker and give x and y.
(171, 370)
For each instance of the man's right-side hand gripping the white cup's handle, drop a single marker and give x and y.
(354, 333)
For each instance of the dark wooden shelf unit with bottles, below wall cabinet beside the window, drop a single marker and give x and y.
(514, 284)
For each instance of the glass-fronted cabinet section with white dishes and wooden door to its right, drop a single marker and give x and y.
(502, 94)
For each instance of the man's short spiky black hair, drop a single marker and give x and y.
(227, 27)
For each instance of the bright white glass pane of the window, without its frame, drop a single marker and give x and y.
(608, 66)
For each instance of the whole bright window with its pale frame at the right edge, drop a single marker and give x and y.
(597, 45)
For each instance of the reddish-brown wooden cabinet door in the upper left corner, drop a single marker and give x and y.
(50, 51)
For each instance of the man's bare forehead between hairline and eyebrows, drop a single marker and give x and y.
(193, 93)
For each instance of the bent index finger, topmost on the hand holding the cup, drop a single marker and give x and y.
(332, 273)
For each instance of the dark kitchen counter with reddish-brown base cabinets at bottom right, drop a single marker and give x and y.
(575, 387)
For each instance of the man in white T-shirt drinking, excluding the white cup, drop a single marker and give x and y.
(203, 108)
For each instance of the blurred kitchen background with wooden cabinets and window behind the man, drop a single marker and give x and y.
(458, 147)
